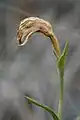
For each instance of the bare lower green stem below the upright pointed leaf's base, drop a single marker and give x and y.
(60, 107)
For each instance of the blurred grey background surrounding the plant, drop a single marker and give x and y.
(31, 70)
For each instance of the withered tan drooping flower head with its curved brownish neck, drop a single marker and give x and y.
(31, 25)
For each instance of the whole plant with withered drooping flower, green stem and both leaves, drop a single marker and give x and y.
(26, 28)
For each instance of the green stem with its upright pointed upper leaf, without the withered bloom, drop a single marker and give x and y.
(60, 66)
